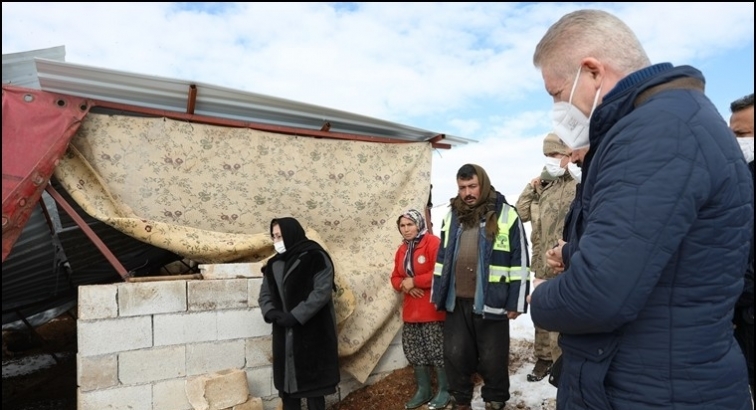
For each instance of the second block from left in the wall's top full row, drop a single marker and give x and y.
(147, 298)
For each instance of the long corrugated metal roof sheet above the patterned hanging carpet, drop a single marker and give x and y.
(215, 101)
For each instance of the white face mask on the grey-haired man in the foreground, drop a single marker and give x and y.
(569, 123)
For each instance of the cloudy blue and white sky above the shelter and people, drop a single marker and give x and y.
(457, 68)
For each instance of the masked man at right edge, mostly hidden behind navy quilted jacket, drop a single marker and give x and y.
(741, 123)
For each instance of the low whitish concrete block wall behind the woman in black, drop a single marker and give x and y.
(139, 342)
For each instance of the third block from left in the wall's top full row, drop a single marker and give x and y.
(217, 294)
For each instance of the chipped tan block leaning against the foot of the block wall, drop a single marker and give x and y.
(217, 391)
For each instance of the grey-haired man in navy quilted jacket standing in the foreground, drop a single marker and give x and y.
(660, 240)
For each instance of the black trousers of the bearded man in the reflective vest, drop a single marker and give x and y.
(473, 344)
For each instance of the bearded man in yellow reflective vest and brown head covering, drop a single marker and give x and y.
(480, 279)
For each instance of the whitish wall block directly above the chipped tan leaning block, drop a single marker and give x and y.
(211, 357)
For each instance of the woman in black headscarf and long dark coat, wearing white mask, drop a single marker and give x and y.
(296, 297)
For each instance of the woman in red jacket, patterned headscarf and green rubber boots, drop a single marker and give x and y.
(422, 333)
